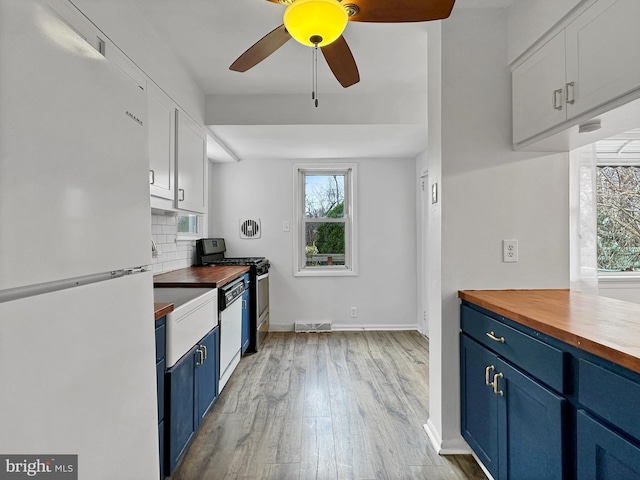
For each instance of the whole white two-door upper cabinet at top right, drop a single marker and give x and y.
(583, 70)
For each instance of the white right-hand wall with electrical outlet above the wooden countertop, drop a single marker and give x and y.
(488, 193)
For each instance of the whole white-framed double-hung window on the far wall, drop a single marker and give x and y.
(325, 220)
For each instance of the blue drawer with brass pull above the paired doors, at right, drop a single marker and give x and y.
(529, 354)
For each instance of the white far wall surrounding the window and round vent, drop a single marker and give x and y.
(384, 290)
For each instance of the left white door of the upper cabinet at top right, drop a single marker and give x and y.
(536, 107)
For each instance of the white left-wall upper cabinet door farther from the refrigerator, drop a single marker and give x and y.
(191, 156)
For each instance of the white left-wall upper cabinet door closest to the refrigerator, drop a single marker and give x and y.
(161, 123)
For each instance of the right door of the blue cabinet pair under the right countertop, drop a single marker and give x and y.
(530, 425)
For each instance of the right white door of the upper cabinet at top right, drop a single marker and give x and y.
(603, 54)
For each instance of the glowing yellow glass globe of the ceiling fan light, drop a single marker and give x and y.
(307, 19)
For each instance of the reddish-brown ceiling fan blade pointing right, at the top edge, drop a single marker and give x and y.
(400, 10)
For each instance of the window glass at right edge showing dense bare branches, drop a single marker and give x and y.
(618, 218)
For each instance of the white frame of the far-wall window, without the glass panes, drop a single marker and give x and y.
(300, 171)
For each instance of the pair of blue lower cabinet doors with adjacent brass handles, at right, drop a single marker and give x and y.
(513, 423)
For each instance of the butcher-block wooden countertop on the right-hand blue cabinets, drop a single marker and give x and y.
(603, 326)
